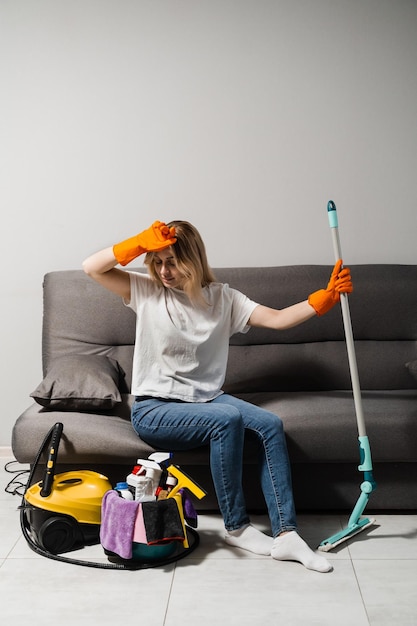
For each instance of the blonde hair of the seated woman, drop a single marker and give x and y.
(191, 260)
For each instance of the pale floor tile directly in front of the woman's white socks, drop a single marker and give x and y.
(261, 591)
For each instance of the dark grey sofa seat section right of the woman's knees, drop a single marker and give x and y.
(321, 427)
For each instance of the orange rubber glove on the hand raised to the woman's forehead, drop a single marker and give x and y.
(157, 237)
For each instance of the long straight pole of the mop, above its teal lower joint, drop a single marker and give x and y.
(357, 397)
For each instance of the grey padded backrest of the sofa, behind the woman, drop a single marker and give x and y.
(81, 317)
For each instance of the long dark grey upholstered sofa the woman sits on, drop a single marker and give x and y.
(302, 374)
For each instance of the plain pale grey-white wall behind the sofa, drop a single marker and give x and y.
(243, 116)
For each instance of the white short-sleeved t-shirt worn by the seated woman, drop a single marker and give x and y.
(181, 350)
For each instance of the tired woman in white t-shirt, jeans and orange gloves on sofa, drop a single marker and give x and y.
(184, 321)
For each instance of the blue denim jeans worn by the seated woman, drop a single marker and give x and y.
(221, 423)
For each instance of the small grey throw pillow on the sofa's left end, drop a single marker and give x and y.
(80, 383)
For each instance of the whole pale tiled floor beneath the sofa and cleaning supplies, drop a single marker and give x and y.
(374, 581)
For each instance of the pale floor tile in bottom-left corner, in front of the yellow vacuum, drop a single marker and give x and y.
(50, 593)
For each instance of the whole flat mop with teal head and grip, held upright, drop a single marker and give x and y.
(356, 522)
